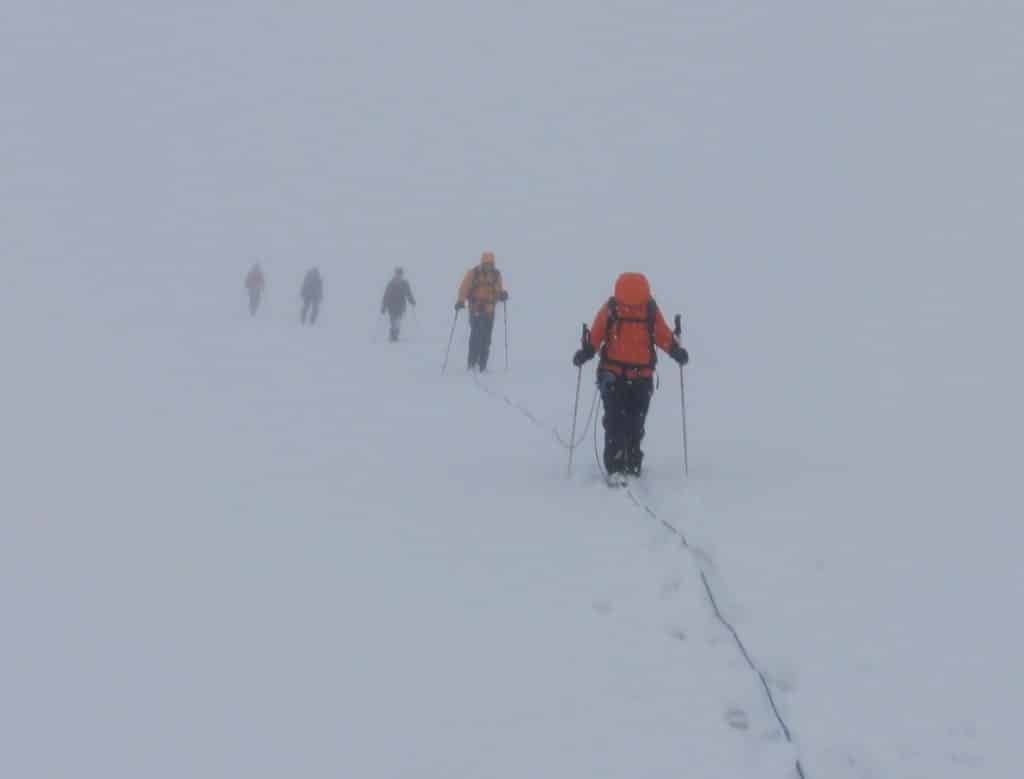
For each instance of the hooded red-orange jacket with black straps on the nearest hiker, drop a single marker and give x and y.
(628, 345)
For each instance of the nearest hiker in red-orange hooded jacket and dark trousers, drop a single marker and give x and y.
(627, 330)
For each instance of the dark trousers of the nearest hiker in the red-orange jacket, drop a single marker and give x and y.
(626, 405)
